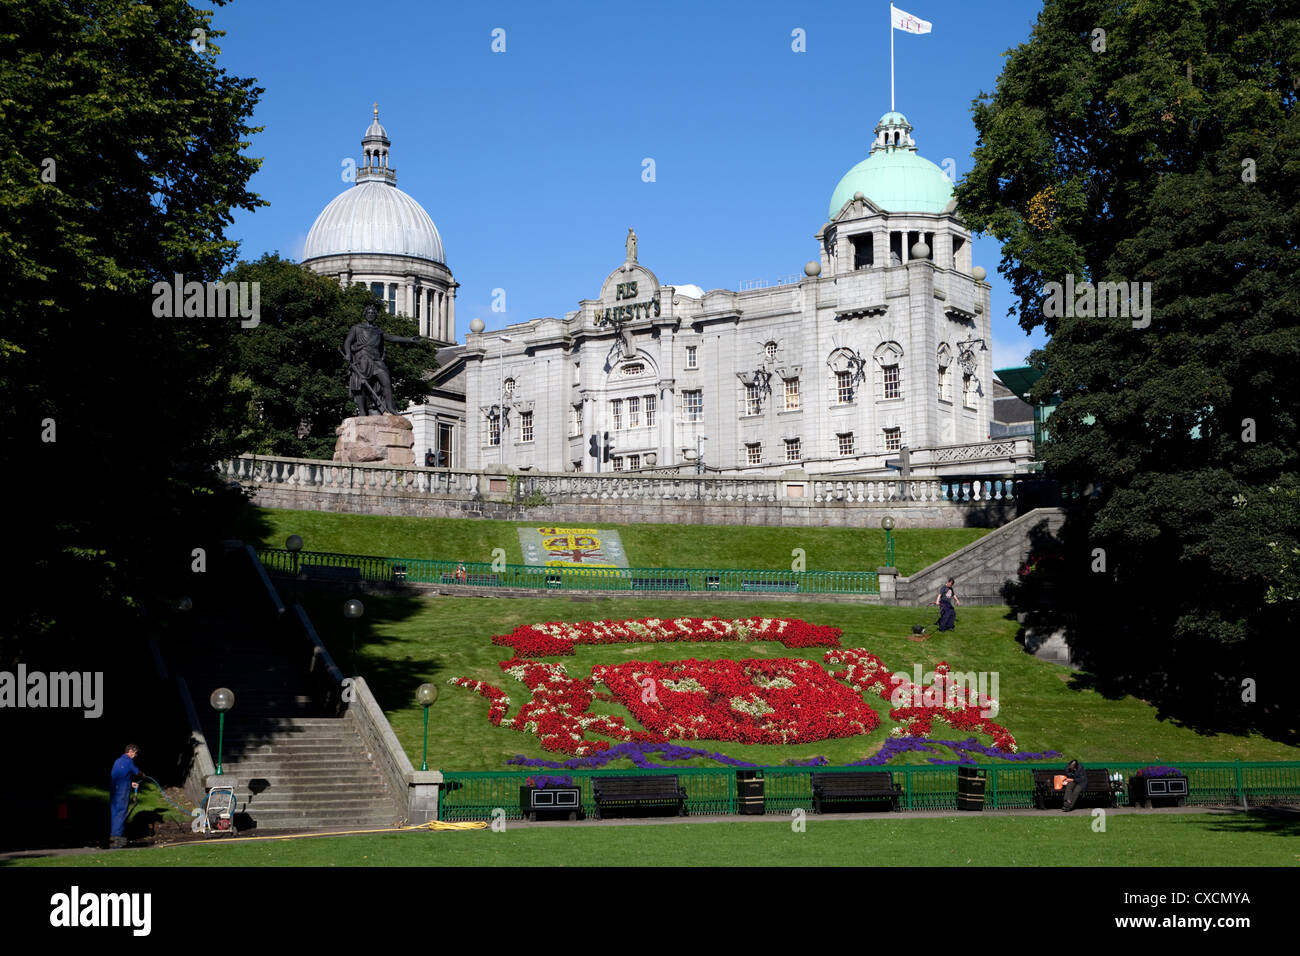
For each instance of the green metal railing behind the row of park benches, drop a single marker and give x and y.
(712, 791)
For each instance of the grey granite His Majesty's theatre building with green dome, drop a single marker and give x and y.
(883, 344)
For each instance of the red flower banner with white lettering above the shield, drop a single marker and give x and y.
(558, 639)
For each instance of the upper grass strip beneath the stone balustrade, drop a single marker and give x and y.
(647, 546)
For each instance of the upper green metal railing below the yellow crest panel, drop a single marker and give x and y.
(651, 579)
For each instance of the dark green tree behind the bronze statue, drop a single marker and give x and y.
(298, 378)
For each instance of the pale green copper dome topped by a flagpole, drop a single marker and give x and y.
(894, 176)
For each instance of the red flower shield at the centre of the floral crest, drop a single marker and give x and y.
(775, 702)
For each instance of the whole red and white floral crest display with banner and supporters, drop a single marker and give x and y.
(746, 702)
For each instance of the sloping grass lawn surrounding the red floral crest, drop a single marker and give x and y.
(409, 641)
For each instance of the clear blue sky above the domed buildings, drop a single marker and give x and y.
(531, 162)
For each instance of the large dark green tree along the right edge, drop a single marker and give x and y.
(1165, 150)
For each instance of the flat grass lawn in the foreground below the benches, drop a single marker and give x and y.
(969, 840)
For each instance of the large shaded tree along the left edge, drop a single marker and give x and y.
(120, 165)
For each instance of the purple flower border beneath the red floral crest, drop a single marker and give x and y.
(640, 755)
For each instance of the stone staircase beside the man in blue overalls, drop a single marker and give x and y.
(294, 767)
